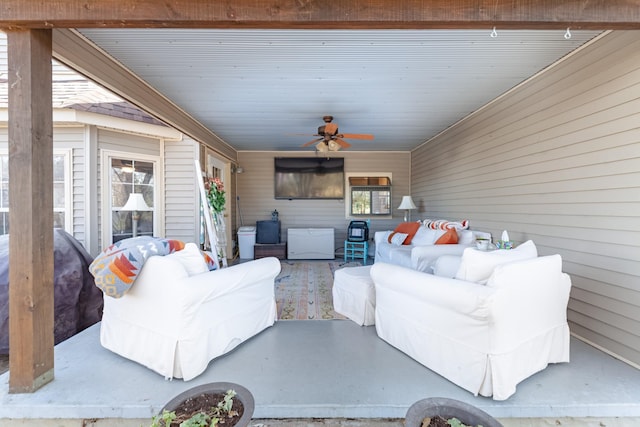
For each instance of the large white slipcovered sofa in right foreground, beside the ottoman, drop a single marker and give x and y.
(486, 338)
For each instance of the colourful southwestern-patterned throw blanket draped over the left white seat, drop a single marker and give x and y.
(117, 267)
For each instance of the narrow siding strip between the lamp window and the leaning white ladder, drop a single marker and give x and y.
(181, 191)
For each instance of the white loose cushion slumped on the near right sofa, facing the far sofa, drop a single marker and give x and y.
(477, 266)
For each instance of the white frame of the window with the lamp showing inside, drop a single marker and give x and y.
(105, 198)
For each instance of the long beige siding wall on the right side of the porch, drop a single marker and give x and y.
(557, 160)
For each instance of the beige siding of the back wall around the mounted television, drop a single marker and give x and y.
(256, 192)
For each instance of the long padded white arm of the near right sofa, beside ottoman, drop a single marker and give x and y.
(455, 295)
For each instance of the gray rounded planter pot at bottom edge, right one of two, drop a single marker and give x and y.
(448, 408)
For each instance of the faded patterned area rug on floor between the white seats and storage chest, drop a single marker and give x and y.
(304, 289)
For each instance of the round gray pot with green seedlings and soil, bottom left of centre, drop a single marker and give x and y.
(217, 404)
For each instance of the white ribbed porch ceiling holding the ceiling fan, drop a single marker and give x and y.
(255, 88)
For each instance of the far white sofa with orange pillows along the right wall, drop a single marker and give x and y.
(422, 253)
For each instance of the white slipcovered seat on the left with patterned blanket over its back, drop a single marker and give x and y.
(175, 323)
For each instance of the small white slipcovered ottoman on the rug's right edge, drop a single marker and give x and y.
(354, 294)
